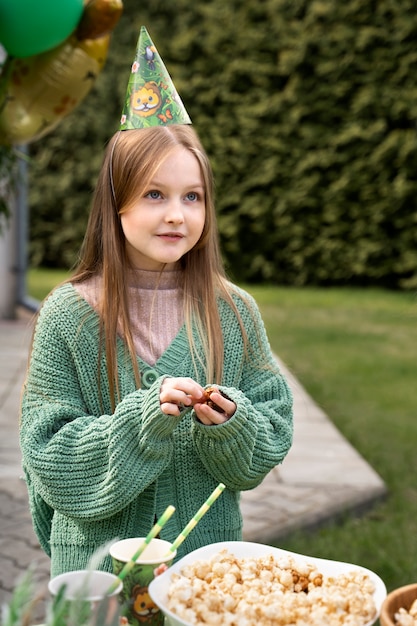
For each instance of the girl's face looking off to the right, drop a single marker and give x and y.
(167, 221)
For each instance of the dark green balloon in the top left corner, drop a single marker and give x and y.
(29, 27)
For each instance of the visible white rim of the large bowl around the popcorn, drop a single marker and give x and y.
(158, 588)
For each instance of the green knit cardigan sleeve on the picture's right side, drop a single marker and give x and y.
(258, 436)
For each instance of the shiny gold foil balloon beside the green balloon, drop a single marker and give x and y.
(37, 92)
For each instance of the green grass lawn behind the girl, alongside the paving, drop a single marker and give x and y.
(355, 353)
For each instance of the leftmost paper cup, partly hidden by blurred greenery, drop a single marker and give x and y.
(85, 591)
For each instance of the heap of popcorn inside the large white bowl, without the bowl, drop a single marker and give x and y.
(269, 591)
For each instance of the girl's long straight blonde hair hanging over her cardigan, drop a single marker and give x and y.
(131, 160)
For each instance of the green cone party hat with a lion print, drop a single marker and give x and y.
(151, 98)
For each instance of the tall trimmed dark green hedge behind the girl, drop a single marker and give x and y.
(308, 110)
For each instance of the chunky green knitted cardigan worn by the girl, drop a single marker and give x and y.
(94, 476)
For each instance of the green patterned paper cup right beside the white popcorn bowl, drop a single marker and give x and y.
(139, 608)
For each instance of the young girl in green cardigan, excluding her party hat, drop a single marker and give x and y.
(114, 421)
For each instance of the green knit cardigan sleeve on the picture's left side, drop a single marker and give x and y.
(86, 465)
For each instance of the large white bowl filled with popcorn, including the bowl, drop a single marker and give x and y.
(251, 584)
